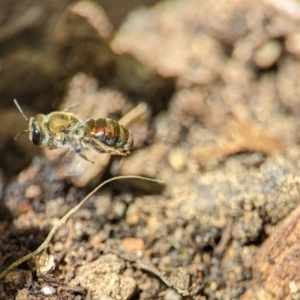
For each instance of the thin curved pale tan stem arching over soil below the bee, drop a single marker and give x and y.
(66, 217)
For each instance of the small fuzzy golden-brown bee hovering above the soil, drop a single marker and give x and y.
(63, 129)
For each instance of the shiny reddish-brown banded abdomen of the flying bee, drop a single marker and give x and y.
(109, 132)
